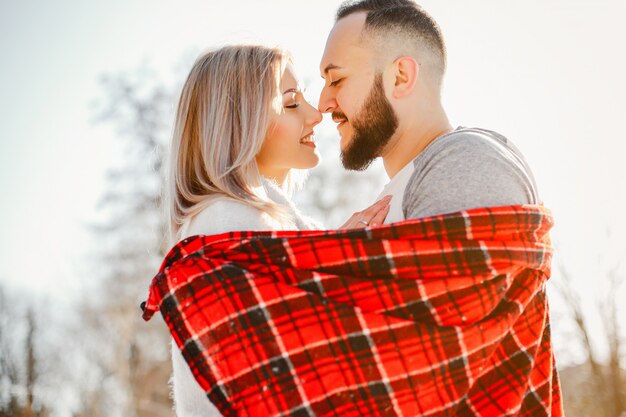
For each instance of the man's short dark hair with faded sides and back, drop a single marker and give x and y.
(403, 17)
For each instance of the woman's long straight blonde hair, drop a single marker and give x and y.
(223, 116)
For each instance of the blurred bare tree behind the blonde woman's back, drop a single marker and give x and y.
(128, 359)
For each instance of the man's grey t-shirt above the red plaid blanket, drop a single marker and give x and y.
(465, 169)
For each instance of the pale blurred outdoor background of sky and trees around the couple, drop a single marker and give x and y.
(87, 96)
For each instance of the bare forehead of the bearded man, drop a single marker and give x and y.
(343, 41)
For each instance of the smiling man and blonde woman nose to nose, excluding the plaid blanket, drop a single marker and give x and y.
(243, 125)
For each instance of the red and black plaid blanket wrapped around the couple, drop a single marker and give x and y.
(441, 316)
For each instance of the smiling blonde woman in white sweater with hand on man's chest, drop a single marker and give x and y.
(242, 126)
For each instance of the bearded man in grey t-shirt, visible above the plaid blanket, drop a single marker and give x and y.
(384, 65)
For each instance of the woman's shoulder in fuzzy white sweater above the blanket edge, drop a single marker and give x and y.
(227, 215)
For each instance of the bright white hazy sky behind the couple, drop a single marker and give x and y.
(548, 74)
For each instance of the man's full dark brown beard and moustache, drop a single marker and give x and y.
(373, 126)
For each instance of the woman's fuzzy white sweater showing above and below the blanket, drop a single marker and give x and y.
(221, 216)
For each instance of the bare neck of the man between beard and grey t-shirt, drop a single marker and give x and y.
(412, 140)
